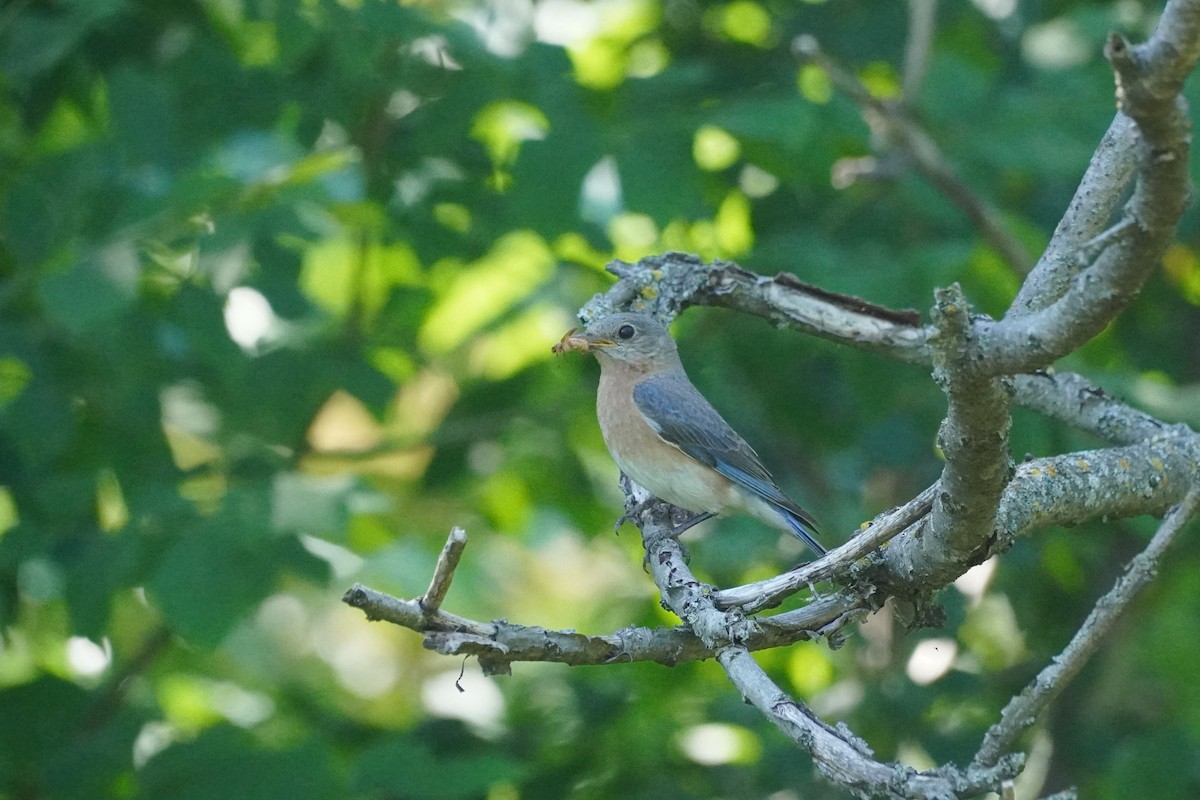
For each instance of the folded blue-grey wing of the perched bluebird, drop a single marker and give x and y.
(683, 418)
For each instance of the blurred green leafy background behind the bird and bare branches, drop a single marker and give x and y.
(278, 288)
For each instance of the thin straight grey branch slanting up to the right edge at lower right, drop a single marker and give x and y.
(1024, 709)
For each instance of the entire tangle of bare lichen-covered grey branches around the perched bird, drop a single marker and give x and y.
(1090, 272)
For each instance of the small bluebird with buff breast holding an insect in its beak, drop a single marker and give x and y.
(668, 438)
